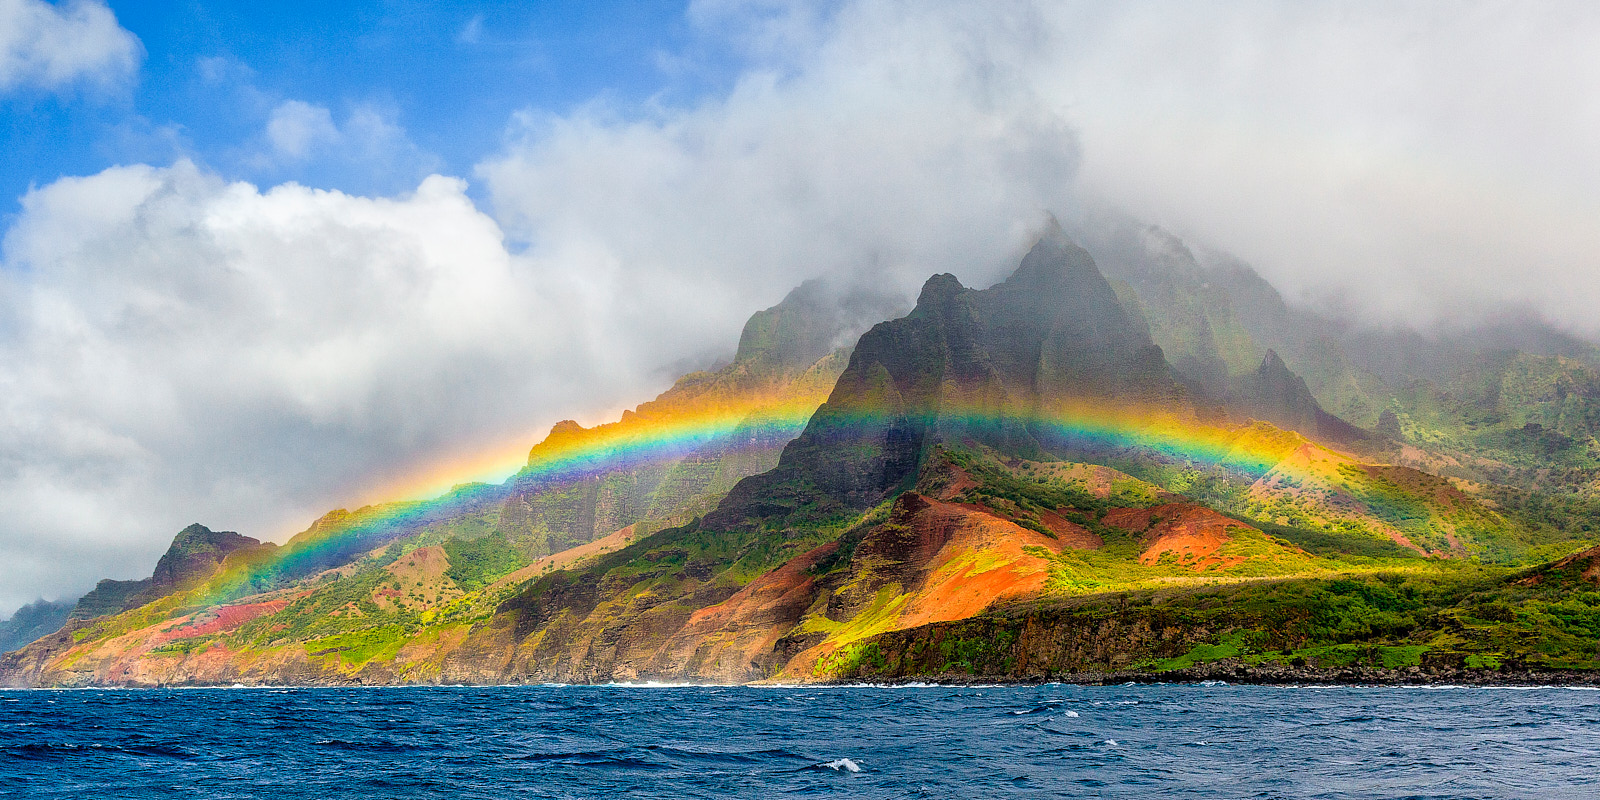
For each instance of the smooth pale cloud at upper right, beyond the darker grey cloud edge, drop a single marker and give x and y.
(1415, 161)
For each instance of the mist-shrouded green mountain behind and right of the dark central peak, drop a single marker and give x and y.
(1476, 404)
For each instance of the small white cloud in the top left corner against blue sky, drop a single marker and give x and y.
(50, 47)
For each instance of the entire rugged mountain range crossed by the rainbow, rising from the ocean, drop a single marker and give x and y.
(1010, 482)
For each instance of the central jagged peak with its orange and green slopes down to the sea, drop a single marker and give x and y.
(858, 532)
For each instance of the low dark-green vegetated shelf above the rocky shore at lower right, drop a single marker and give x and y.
(1447, 615)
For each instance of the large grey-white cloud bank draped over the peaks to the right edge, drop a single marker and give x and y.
(1404, 159)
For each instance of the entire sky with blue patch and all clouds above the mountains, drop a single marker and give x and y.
(266, 260)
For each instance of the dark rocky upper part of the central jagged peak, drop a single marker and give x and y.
(962, 366)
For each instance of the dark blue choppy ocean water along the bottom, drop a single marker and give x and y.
(1210, 742)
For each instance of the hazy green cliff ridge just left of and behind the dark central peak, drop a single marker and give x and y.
(786, 364)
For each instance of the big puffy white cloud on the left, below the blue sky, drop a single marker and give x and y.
(183, 350)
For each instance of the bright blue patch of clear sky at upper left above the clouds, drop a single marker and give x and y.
(447, 76)
